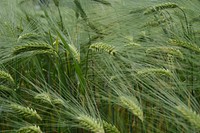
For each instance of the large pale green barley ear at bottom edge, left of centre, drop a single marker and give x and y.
(91, 124)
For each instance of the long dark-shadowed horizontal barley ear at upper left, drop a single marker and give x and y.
(34, 46)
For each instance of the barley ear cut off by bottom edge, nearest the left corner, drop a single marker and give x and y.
(30, 129)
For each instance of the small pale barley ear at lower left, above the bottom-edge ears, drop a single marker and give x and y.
(43, 97)
